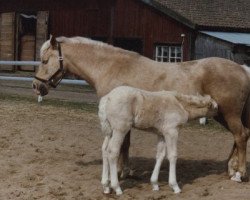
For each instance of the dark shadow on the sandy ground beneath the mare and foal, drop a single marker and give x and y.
(187, 170)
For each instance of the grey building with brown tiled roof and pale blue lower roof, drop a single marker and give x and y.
(222, 27)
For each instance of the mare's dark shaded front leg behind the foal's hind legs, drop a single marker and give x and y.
(123, 162)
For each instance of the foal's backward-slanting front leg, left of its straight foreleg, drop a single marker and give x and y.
(160, 155)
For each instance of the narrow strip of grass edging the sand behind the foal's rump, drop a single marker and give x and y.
(88, 107)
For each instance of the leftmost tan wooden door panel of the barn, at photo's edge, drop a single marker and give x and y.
(7, 35)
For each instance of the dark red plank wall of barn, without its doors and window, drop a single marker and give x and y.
(131, 19)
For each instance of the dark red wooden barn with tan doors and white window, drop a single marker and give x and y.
(143, 26)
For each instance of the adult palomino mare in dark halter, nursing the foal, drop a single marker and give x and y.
(106, 67)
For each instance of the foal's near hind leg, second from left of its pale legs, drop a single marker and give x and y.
(113, 153)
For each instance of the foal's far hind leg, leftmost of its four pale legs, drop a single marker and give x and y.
(105, 166)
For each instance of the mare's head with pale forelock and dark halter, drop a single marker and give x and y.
(51, 69)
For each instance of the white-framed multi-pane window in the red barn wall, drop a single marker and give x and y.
(168, 53)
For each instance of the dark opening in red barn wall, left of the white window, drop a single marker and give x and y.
(130, 44)
